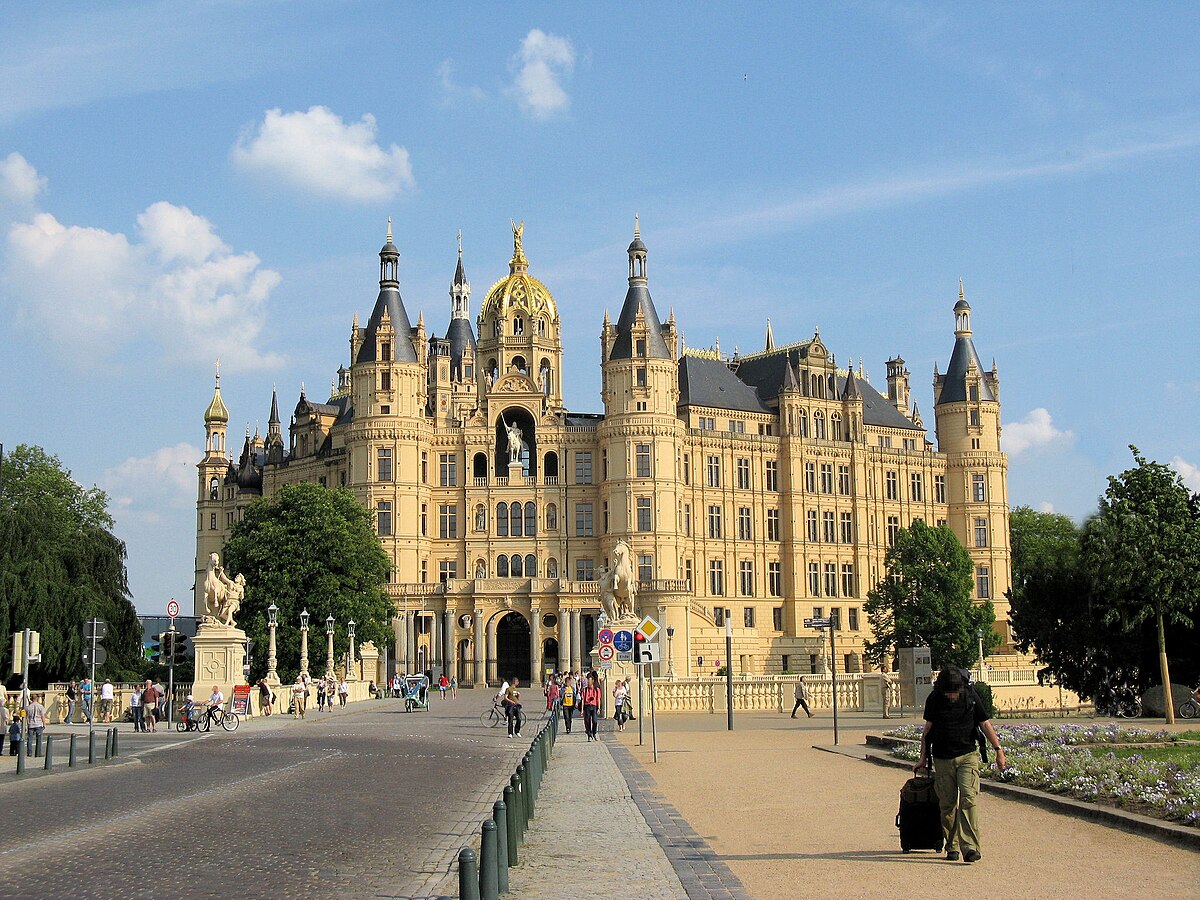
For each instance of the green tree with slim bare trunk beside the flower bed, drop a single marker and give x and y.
(1143, 553)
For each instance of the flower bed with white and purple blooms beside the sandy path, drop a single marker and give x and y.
(1058, 760)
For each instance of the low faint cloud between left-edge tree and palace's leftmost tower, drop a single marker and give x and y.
(142, 488)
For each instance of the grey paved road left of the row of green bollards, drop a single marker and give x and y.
(368, 802)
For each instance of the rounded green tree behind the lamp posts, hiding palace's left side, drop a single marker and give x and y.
(315, 549)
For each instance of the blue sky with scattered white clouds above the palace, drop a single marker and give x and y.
(184, 183)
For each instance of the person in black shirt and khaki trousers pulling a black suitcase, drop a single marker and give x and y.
(953, 715)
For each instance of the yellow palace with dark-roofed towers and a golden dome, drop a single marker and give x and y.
(761, 489)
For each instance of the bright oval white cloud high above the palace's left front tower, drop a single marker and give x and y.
(320, 154)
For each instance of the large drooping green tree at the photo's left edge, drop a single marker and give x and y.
(61, 566)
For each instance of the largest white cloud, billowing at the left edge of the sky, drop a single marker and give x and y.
(176, 285)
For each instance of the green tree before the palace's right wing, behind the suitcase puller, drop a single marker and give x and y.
(927, 601)
